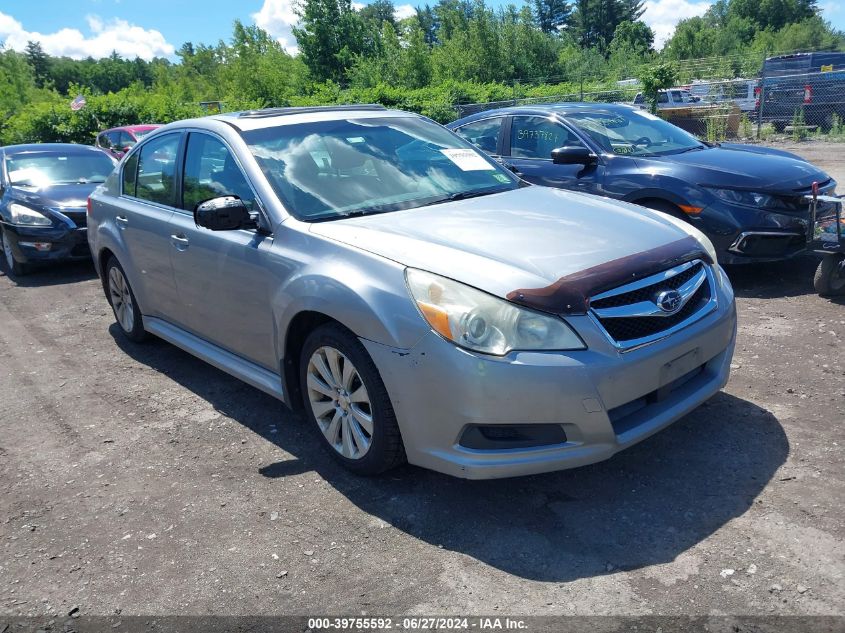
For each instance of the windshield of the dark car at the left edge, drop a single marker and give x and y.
(41, 169)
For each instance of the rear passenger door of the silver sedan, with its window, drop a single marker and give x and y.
(147, 201)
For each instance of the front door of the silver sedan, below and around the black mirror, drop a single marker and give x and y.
(221, 276)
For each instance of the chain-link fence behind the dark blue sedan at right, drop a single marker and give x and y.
(793, 97)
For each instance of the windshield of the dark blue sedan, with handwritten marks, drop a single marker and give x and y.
(634, 133)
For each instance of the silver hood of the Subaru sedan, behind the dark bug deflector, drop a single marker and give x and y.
(529, 238)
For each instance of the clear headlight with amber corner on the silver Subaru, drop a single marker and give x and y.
(484, 323)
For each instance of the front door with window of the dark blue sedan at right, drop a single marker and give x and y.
(528, 147)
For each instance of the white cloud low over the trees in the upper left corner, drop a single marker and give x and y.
(127, 39)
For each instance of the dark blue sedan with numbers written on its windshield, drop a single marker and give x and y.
(748, 200)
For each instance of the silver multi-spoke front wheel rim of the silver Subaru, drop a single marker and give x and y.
(340, 402)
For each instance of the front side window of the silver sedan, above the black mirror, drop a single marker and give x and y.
(210, 172)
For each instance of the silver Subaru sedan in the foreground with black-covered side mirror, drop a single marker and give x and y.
(408, 294)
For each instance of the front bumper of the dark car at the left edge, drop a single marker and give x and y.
(65, 243)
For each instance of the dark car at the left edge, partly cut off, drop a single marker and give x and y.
(44, 190)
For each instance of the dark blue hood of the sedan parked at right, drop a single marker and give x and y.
(742, 167)
